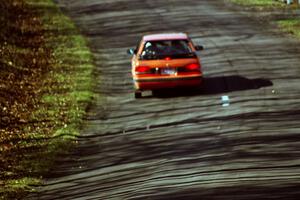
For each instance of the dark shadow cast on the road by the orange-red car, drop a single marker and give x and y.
(216, 85)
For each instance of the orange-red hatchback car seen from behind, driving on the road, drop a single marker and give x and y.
(165, 61)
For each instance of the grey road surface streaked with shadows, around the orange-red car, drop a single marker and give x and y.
(186, 145)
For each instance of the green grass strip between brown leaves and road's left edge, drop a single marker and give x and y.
(66, 91)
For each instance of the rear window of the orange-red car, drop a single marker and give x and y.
(166, 48)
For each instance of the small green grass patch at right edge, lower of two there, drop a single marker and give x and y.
(291, 26)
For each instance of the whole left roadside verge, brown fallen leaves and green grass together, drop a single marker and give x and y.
(45, 86)
